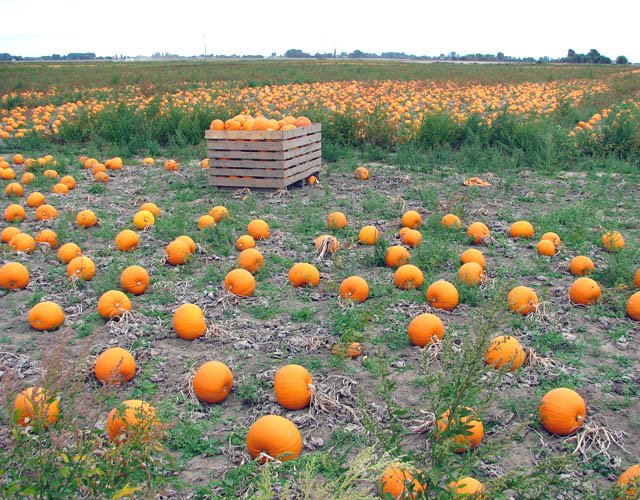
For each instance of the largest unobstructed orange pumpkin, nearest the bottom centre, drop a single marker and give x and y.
(273, 436)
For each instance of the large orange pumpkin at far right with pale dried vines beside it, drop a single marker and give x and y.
(562, 411)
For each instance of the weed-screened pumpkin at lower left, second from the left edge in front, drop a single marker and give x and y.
(132, 418)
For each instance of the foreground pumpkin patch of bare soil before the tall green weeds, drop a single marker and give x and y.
(398, 334)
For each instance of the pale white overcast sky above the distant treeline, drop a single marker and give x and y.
(517, 28)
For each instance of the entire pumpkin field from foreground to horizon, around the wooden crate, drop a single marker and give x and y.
(448, 308)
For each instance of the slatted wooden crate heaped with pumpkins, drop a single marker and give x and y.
(271, 159)
